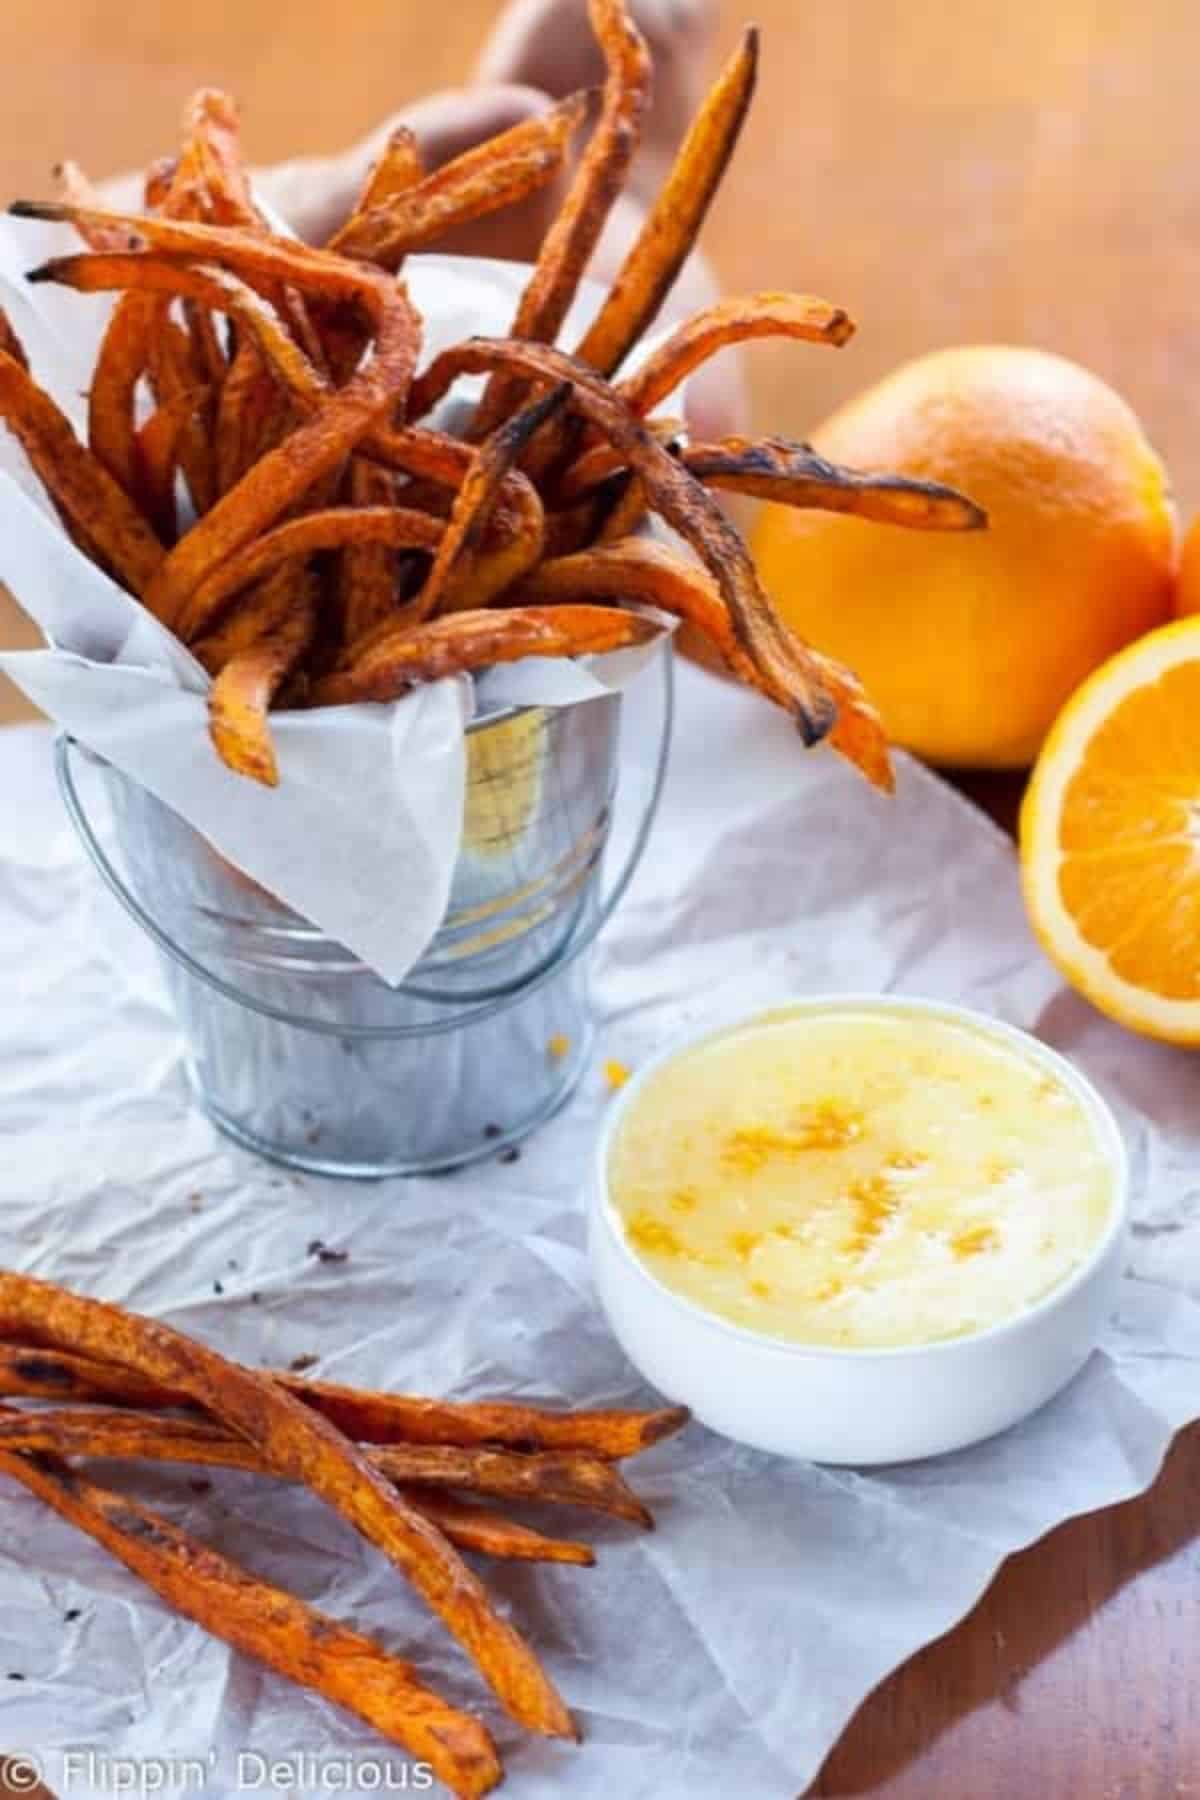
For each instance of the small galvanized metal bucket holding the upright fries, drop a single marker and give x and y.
(300, 1052)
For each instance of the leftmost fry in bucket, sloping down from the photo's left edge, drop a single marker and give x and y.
(80, 487)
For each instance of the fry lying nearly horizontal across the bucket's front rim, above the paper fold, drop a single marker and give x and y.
(465, 642)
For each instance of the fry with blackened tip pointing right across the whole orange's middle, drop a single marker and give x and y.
(775, 469)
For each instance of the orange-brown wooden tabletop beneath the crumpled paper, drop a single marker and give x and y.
(999, 170)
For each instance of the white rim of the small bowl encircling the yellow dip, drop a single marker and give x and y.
(1102, 1119)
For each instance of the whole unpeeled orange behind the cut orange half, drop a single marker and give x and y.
(969, 643)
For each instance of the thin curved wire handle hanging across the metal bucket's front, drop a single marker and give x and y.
(575, 946)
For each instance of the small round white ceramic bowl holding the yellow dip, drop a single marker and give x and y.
(859, 1407)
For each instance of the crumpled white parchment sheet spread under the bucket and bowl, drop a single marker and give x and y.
(726, 1651)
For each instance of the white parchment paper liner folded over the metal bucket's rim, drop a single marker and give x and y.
(364, 831)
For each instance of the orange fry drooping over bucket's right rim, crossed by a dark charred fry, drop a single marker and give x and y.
(643, 570)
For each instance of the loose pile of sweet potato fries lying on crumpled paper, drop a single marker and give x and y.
(393, 1466)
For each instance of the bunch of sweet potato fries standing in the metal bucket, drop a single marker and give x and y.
(274, 490)
